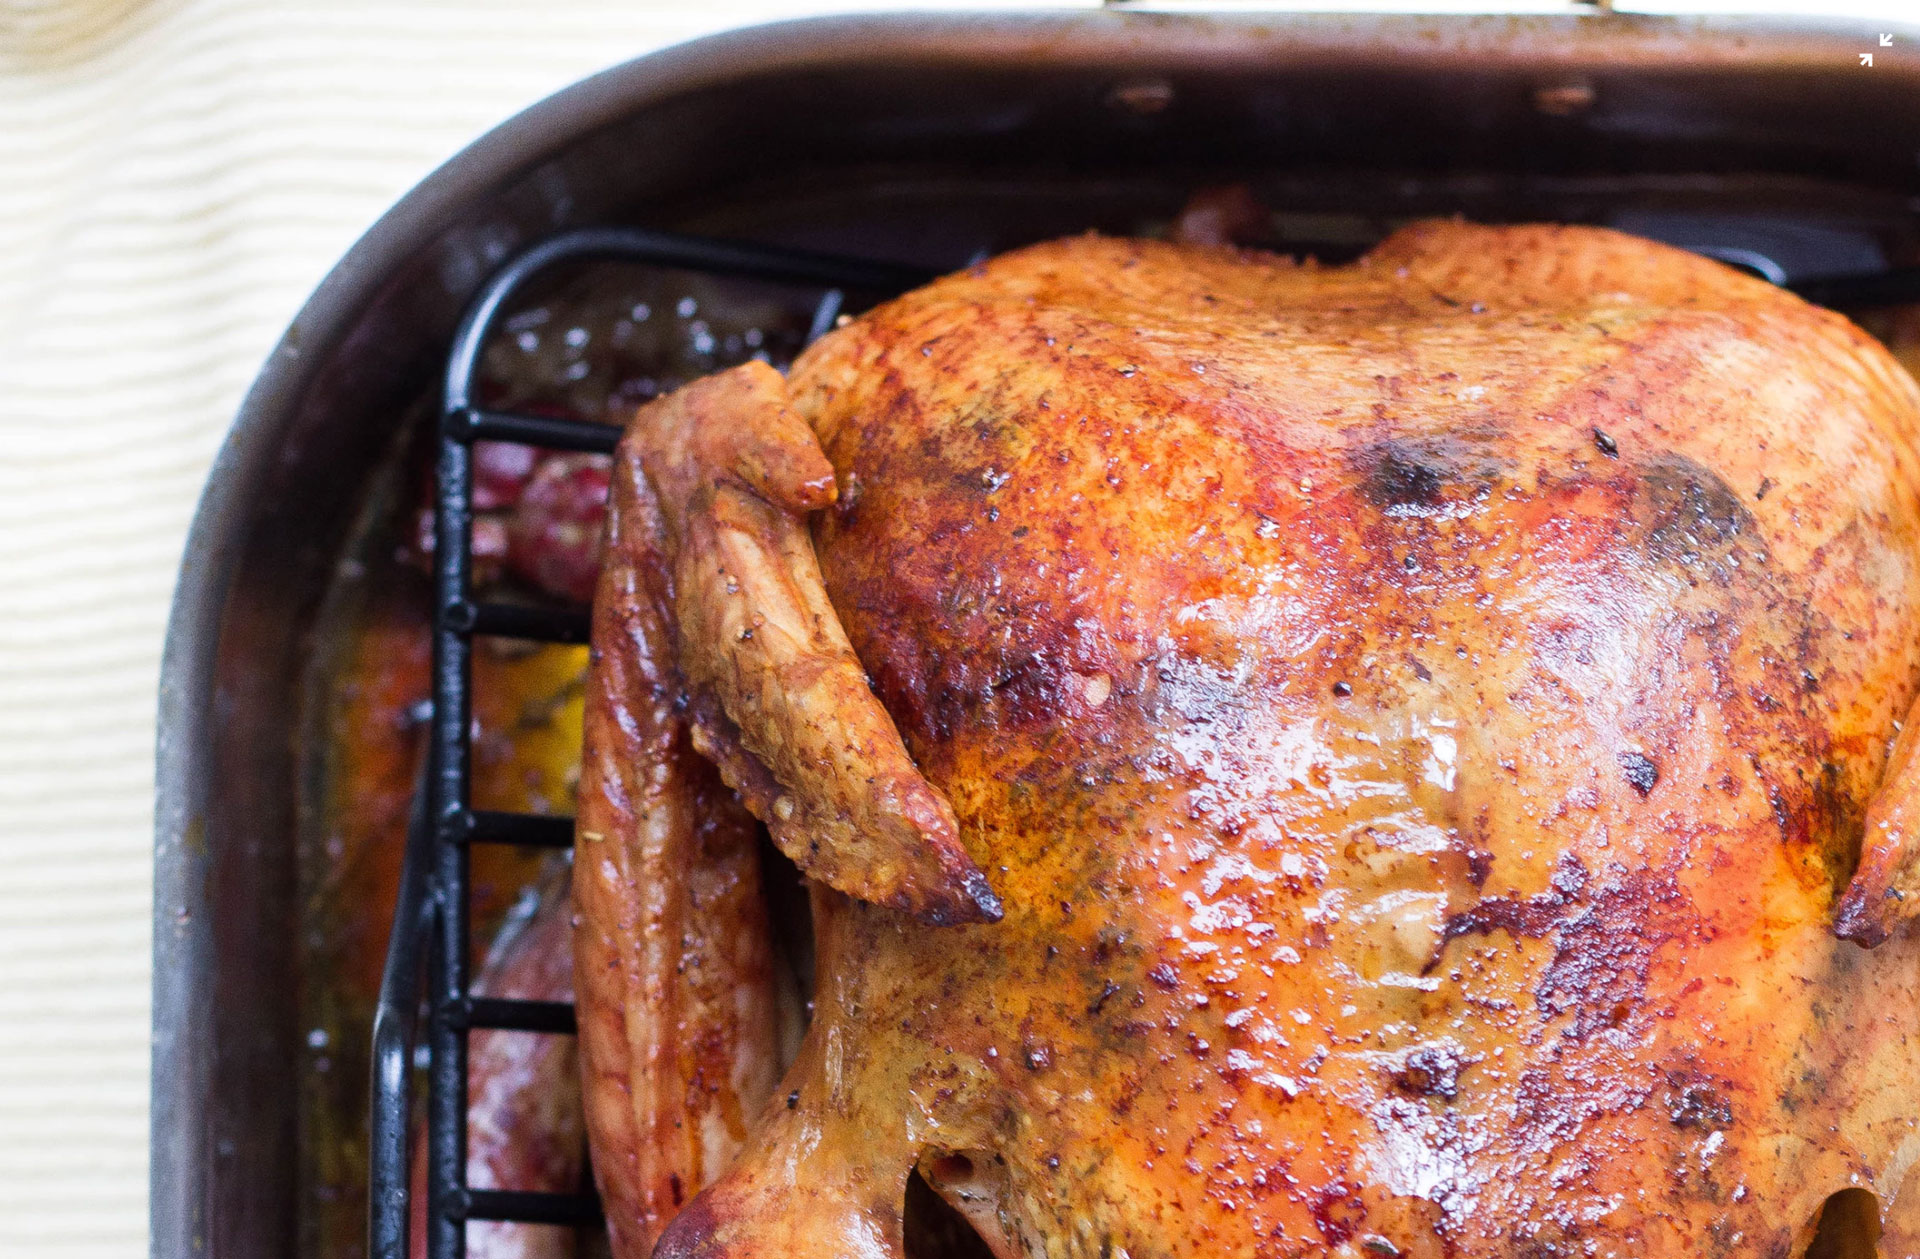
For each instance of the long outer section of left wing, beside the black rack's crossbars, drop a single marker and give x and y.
(683, 1018)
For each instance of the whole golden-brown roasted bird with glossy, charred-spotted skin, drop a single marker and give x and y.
(1378, 761)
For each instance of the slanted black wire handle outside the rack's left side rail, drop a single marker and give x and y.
(396, 1026)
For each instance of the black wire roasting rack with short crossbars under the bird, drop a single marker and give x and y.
(427, 962)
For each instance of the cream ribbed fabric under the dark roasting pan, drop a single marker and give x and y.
(176, 176)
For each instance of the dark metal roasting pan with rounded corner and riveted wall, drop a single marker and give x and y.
(921, 141)
